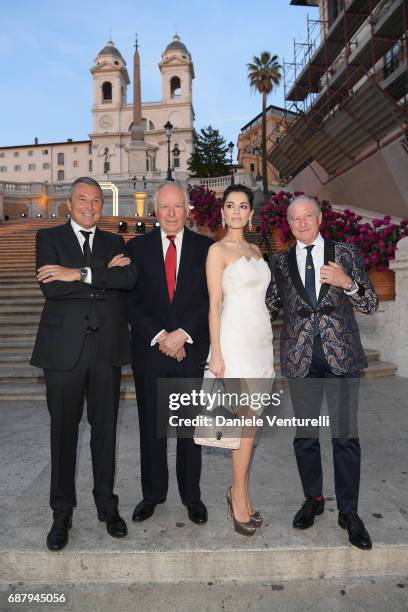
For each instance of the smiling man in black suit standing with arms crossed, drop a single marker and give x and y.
(82, 342)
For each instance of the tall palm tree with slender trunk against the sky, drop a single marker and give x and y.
(264, 73)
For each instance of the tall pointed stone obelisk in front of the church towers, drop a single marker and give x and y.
(137, 147)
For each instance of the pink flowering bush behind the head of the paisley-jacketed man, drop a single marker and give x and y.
(376, 241)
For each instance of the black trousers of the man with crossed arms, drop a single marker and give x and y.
(94, 378)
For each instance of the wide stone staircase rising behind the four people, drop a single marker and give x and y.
(21, 303)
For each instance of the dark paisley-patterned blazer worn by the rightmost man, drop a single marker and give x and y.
(334, 311)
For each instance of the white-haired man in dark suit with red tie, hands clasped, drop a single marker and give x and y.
(168, 314)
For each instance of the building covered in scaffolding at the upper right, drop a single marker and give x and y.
(348, 84)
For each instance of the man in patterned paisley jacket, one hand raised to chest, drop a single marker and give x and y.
(319, 283)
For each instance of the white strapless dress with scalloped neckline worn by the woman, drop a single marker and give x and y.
(246, 333)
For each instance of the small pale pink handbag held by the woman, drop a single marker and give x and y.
(212, 430)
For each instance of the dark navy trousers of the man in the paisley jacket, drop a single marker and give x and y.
(342, 401)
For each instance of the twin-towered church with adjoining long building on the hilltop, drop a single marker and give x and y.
(127, 140)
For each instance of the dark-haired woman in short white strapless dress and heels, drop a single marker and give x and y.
(240, 332)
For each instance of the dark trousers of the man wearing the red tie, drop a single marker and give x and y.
(153, 417)
